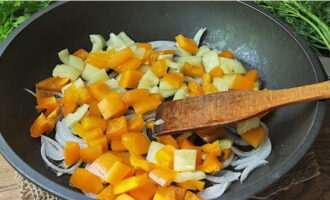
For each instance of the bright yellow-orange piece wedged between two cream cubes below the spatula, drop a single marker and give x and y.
(165, 156)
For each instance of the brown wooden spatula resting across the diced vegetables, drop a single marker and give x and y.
(223, 108)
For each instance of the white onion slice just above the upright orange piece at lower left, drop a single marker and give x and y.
(63, 135)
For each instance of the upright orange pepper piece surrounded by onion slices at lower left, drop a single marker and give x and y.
(71, 153)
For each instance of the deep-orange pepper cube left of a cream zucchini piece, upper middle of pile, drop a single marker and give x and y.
(130, 79)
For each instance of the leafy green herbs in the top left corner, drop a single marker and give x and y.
(13, 13)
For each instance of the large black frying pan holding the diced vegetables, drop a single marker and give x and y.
(258, 40)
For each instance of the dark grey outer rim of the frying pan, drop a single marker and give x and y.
(249, 190)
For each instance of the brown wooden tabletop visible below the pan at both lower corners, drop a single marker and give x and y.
(317, 188)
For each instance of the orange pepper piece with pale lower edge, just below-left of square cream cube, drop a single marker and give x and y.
(162, 176)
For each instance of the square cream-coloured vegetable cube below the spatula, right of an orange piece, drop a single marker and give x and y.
(185, 159)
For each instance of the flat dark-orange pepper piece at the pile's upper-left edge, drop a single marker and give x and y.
(53, 84)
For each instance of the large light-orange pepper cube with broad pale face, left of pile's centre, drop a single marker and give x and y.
(111, 106)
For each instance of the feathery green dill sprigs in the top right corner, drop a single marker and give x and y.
(310, 19)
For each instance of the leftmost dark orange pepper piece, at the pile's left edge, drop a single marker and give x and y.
(41, 125)
